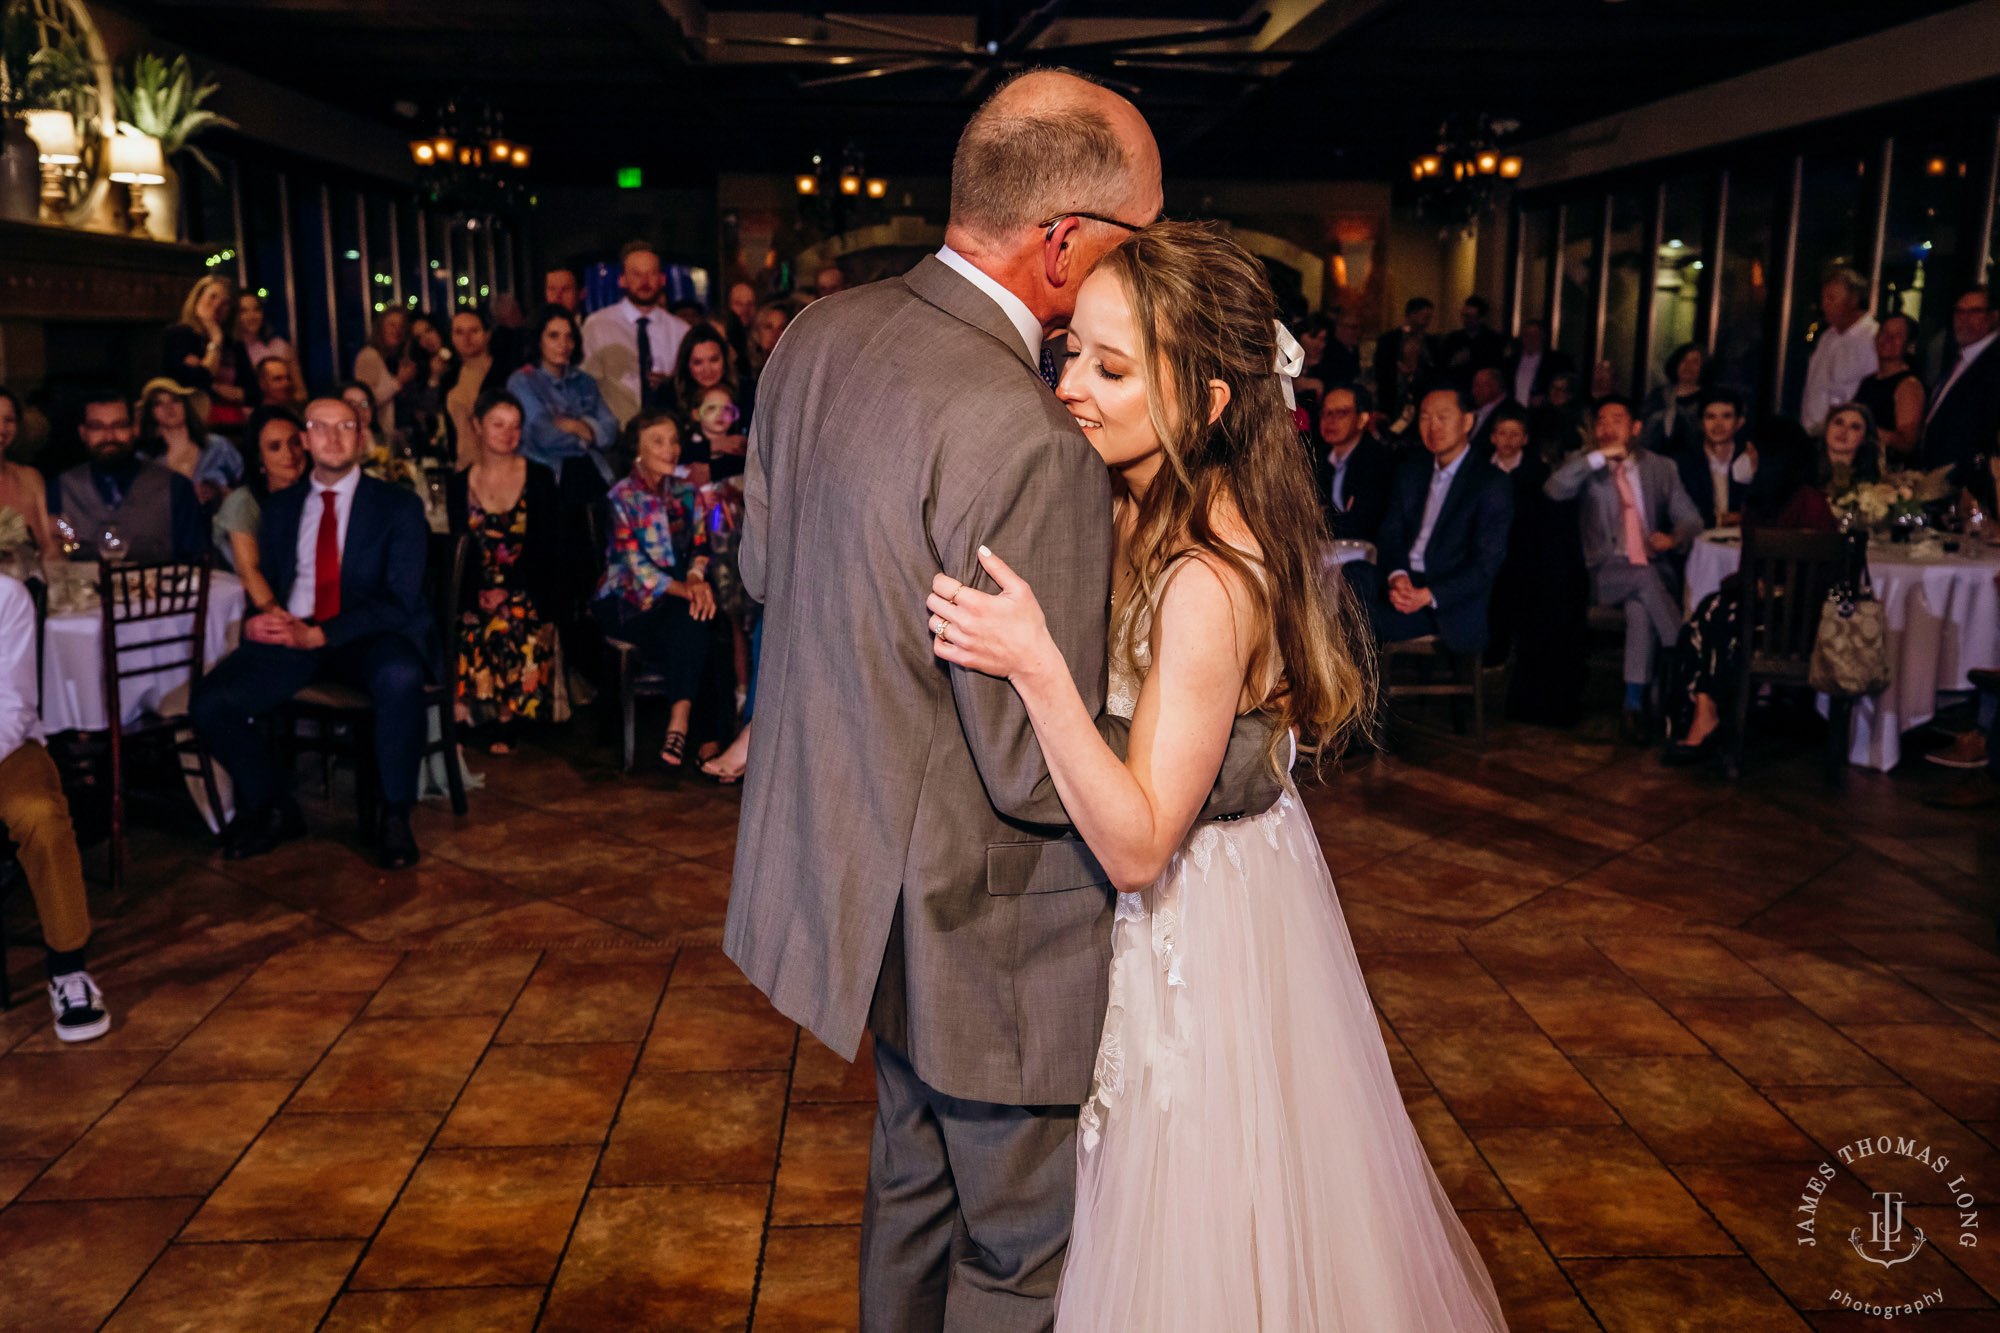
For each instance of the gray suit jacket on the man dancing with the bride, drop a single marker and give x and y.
(899, 427)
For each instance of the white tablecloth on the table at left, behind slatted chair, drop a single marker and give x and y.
(73, 659)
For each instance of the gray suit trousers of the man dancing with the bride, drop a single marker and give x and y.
(969, 1210)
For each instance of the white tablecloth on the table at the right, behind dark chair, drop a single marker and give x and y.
(1943, 621)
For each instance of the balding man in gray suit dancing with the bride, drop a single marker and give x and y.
(903, 862)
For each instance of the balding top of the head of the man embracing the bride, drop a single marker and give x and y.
(1051, 143)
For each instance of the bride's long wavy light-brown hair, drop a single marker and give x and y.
(1205, 311)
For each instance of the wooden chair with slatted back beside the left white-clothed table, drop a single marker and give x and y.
(141, 605)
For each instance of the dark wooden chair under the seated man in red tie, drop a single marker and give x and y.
(343, 716)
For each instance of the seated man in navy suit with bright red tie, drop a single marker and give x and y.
(345, 559)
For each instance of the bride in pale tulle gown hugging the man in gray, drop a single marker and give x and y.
(1245, 1160)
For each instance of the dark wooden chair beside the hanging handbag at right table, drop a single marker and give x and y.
(1785, 581)
